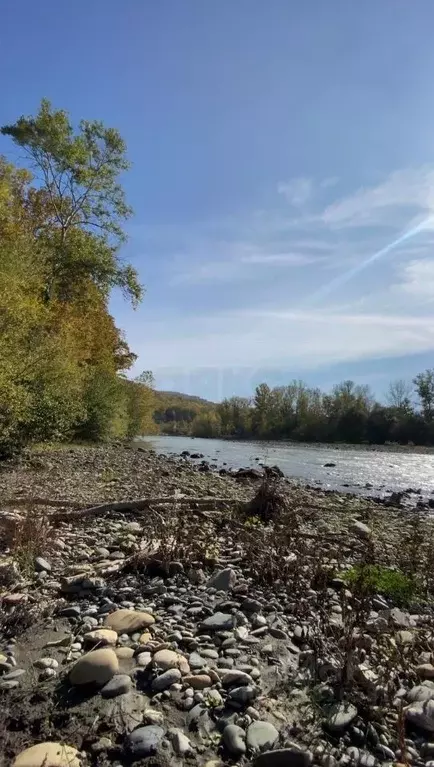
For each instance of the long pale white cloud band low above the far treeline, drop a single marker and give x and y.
(283, 338)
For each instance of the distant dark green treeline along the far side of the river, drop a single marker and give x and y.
(296, 412)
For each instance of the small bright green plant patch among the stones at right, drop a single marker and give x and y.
(375, 579)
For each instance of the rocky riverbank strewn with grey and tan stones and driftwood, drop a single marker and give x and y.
(235, 617)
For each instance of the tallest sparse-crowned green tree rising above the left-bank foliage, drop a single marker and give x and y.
(84, 203)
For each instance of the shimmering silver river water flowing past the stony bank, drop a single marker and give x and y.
(357, 470)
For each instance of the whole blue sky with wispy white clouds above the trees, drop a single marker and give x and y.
(279, 149)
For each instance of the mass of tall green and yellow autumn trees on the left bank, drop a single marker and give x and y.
(62, 358)
